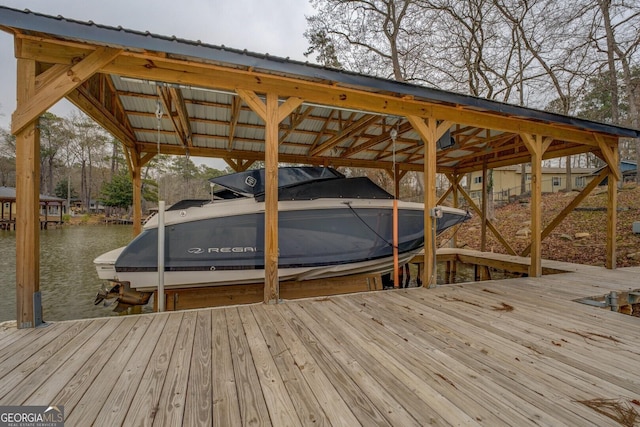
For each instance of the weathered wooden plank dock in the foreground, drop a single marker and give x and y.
(511, 352)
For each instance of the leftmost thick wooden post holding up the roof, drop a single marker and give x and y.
(27, 205)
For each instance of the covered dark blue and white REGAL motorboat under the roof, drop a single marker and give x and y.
(328, 225)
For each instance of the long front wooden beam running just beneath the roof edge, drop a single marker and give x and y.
(173, 70)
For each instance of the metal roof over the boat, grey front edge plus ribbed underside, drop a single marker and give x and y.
(219, 123)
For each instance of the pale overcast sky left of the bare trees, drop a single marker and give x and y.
(275, 27)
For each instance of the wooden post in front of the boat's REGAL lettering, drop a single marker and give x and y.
(271, 284)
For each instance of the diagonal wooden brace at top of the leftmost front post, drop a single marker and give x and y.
(65, 80)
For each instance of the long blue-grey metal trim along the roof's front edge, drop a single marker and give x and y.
(118, 36)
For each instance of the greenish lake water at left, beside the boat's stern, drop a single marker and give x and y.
(68, 279)
